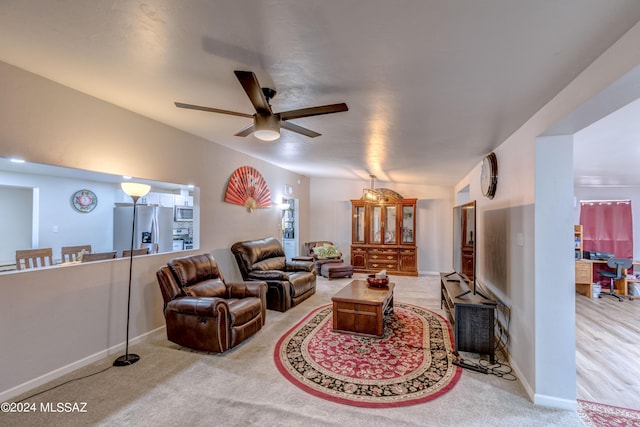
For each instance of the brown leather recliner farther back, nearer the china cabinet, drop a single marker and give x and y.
(289, 282)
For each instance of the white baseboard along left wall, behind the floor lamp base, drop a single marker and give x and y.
(57, 373)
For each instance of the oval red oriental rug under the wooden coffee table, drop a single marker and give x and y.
(410, 364)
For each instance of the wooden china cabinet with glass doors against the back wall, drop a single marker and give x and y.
(383, 235)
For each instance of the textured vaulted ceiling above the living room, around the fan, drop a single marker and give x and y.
(432, 86)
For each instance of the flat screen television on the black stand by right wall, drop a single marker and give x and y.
(464, 246)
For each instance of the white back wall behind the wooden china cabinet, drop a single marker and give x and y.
(330, 217)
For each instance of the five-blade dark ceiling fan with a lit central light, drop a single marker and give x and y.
(266, 124)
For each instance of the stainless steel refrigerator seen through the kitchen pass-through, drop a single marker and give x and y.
(154, 224)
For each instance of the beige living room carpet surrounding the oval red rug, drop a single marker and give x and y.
(171, 385)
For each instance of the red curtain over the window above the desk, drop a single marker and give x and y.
(607, 226)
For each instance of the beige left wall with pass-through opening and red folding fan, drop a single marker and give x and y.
(55, 320)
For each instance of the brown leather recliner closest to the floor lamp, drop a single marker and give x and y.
(205, 313)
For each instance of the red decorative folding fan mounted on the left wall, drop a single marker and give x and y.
(248, 188)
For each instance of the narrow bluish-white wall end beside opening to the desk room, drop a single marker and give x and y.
(555, 292)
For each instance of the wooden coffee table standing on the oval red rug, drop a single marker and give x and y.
(360, 309)
